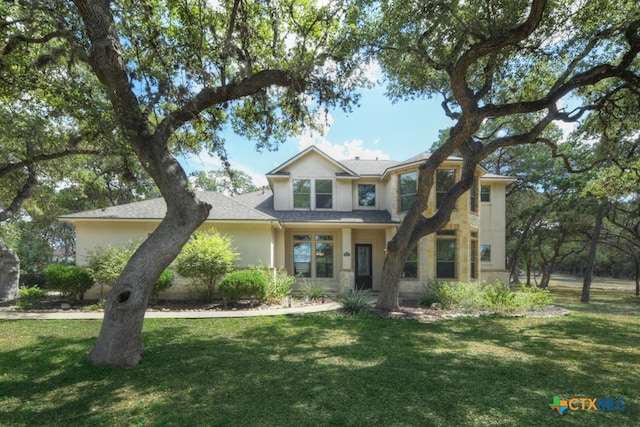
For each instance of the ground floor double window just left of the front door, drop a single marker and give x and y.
(313, 255)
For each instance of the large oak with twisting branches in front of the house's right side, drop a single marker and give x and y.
(505, 70)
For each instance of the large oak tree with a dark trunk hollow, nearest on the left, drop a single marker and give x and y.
(175, 74)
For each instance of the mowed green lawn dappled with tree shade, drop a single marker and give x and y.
(333, 370)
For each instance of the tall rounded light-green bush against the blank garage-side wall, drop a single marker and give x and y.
(205, 259)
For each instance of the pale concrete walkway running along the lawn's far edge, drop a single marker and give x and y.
(204, 314)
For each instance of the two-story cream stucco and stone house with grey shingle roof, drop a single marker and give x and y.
(328, 221)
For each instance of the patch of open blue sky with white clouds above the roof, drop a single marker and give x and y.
(378, 128)
